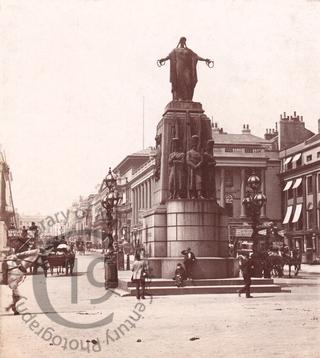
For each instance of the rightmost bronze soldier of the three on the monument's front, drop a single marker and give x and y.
(208, 171)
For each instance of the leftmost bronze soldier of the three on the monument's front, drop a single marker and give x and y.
(176, 167)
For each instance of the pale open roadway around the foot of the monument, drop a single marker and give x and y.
(78, 318)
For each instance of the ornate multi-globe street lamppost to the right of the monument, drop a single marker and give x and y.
(253, 202)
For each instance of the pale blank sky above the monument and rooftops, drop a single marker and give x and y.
(74, 74)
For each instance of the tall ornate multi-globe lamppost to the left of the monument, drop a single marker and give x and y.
(110, 202)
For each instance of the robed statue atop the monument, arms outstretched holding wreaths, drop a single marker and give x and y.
(183, 70)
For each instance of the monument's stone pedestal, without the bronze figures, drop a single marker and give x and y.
(174, 225)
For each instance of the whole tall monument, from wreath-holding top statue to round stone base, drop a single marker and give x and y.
(186, 214)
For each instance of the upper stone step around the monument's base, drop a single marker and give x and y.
(125, 284)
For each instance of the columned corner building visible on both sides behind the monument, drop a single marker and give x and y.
(237, 156)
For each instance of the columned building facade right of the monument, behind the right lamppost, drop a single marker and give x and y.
(237, 157)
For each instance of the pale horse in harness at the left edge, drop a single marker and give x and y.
(17, 265)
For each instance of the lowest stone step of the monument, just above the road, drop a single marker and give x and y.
(172, 290)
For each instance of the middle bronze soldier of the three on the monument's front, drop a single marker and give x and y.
(194, 164)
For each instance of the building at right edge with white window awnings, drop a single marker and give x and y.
(300, 182)
